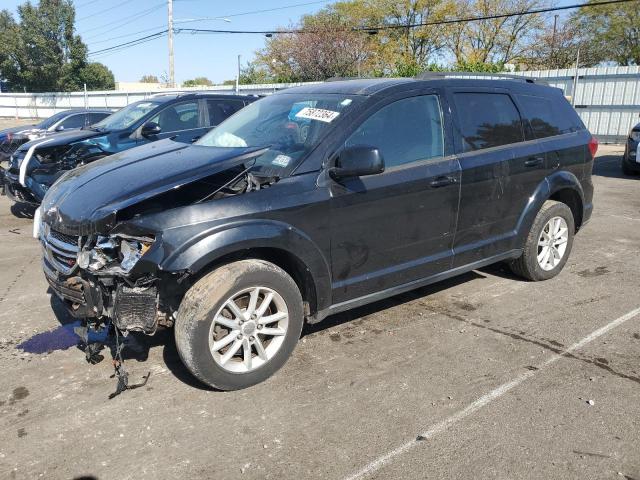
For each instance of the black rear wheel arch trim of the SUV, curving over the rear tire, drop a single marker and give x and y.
(552, 184)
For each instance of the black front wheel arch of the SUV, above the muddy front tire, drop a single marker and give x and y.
(198, 252)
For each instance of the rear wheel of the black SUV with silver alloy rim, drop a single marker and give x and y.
(527, 265)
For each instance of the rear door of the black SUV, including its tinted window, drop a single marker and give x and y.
(500, 171)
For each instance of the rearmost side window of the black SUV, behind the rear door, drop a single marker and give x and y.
(548, 118)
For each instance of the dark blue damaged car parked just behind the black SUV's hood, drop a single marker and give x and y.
(36, 165)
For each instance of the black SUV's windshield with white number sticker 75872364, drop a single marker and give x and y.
(291, 125)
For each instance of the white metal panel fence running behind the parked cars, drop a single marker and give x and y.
(607, 98)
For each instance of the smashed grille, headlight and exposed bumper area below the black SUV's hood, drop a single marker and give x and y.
(93, 276)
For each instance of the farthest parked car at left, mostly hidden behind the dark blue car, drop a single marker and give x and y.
(12, 138)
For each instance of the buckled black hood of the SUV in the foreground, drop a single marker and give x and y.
(87, 199)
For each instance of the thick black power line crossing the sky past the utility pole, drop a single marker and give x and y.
(373, 29)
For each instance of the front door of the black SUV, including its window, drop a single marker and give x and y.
(396, 227)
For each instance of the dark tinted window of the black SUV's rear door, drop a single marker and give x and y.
(487, 120)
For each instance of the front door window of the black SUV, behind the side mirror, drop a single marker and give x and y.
(404, 131)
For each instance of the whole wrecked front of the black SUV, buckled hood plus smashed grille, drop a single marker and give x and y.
(96, 256)
